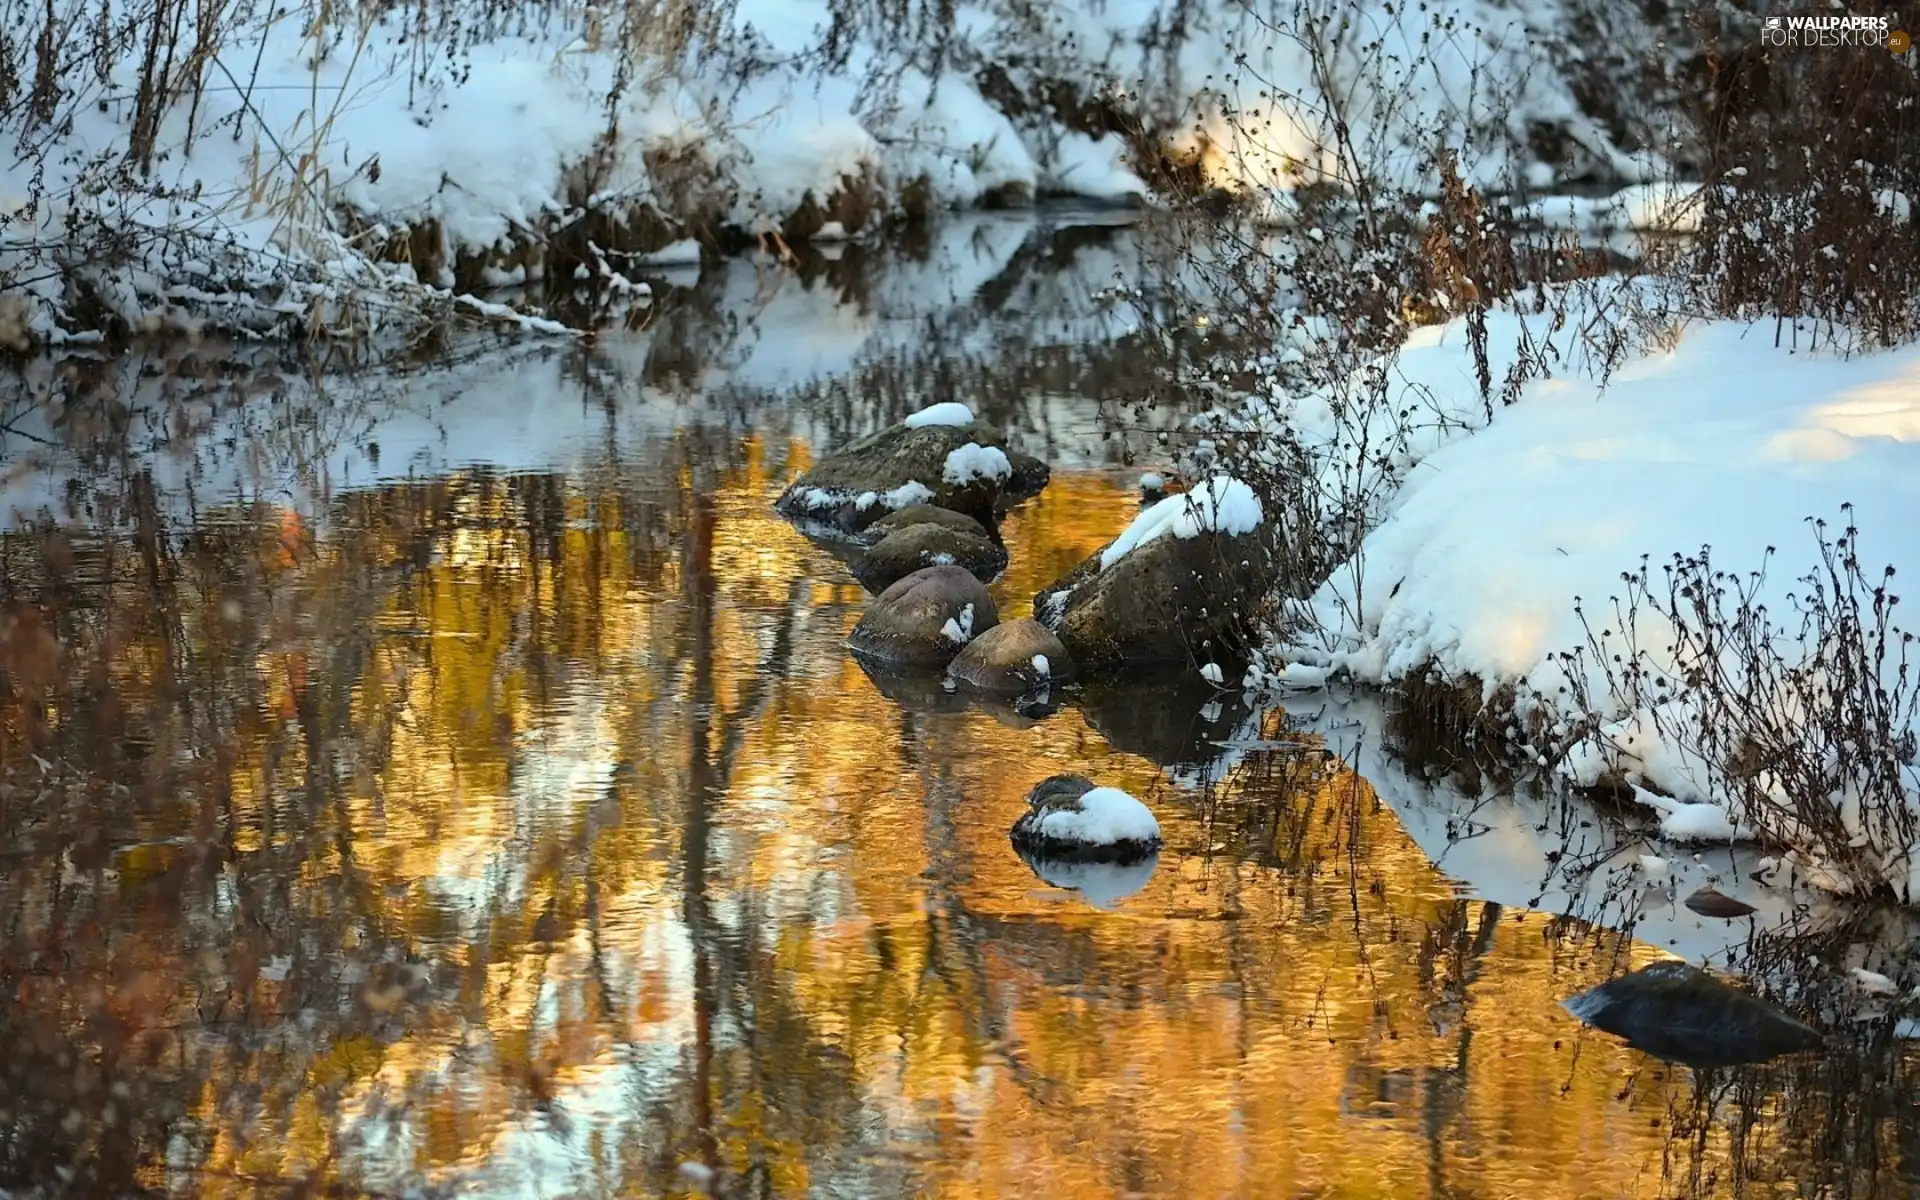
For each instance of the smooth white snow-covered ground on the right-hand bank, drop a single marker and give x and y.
(1491, 539)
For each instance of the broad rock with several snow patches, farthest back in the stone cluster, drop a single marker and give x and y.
(942, 456)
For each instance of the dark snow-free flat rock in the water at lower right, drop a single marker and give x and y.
(1683, 1015)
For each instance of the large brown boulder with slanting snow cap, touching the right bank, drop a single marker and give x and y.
(1178, 587)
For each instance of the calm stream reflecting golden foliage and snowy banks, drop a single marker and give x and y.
(454, 782)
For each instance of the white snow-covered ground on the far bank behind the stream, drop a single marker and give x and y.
(308, 145)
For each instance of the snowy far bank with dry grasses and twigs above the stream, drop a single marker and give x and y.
(347, 170)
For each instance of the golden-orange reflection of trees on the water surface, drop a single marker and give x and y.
(581, 852)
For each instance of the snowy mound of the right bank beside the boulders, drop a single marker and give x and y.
(1497, 550)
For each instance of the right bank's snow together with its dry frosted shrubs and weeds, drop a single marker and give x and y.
(1568, 508)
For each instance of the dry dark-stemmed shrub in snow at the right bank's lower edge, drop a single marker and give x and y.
(1798, 725)
